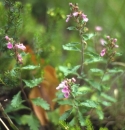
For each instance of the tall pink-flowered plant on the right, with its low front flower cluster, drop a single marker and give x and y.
(85, 94)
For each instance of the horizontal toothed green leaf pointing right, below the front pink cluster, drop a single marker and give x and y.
(90, 103)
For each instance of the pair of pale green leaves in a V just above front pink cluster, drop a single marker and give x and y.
(68, 71)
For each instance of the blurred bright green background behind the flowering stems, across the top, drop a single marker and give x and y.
(43, 25)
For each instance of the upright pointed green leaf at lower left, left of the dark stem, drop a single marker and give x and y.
(17, 100)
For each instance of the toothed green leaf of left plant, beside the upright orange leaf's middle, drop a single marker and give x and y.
(32, 83)
